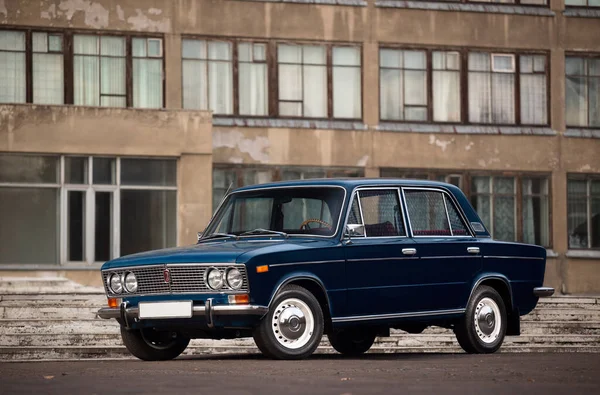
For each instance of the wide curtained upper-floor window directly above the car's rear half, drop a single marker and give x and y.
(427, 85)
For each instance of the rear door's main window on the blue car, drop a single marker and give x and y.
(427, 213)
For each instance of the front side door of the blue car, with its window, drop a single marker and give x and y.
(379, 275)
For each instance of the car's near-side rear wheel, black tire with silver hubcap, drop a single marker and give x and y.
(482, 337)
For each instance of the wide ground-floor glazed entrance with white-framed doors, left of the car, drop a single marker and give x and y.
(104, 207)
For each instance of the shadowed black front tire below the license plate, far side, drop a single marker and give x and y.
(151, 345)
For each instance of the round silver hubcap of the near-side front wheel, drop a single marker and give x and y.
(293, 323)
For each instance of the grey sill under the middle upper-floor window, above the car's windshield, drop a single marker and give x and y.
(288, 123)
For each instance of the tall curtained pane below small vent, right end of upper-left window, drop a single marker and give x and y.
(147, 83)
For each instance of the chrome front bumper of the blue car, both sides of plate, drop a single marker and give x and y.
(129, 314)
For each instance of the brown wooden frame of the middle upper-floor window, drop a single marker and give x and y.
(271, 60)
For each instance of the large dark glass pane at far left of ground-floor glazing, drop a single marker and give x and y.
(29, 225)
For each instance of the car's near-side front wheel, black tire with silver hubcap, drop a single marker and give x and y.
(271, 339)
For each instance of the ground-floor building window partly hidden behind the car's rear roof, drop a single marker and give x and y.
(513, 207)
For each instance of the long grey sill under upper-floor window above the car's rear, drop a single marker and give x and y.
(465, 129)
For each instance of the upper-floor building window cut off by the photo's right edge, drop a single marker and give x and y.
(583, 91)
